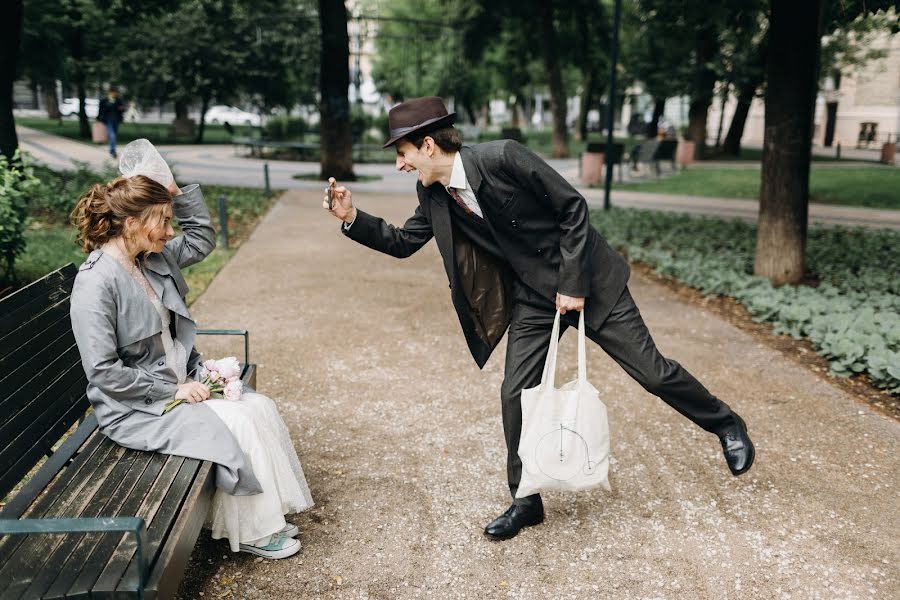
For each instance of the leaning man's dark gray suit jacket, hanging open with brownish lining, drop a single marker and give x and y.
(540, 223)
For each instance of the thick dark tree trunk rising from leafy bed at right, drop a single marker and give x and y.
(792, 72)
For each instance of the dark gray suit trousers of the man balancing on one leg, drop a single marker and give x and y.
(623, 336)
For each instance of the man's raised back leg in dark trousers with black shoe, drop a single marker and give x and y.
(625, 337)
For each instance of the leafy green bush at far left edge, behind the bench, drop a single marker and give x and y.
(17, 187)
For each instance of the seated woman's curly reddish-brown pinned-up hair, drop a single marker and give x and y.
(101, 212)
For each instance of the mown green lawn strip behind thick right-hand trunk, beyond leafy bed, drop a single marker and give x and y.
(872, 187)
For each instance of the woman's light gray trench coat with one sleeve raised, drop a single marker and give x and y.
(118, 332)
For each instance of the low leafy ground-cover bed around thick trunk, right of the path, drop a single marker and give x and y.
(852, 317)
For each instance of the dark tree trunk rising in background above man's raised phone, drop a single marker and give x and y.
(334, 79)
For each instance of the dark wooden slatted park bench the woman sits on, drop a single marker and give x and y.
(95, 520)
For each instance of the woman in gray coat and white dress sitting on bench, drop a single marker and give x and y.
(136, 339)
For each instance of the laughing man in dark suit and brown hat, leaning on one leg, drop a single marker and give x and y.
(517, 246)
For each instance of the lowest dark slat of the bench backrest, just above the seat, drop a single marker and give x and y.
(39, 437)
